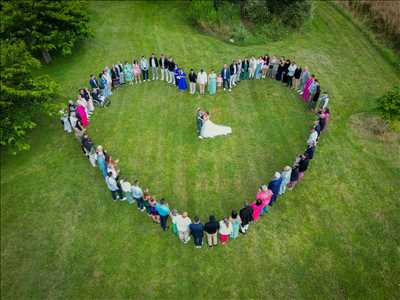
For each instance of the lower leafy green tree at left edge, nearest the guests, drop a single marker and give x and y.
(22, 96)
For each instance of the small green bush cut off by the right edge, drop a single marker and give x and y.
(389, 104)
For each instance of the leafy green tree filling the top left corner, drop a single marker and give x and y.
(45, 26)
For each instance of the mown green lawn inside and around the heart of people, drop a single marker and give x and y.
(335, 236)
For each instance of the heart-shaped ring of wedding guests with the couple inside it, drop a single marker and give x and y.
(76, 119)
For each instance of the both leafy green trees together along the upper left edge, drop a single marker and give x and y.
(29, 30)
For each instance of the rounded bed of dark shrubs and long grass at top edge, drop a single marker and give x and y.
(249, 20)
